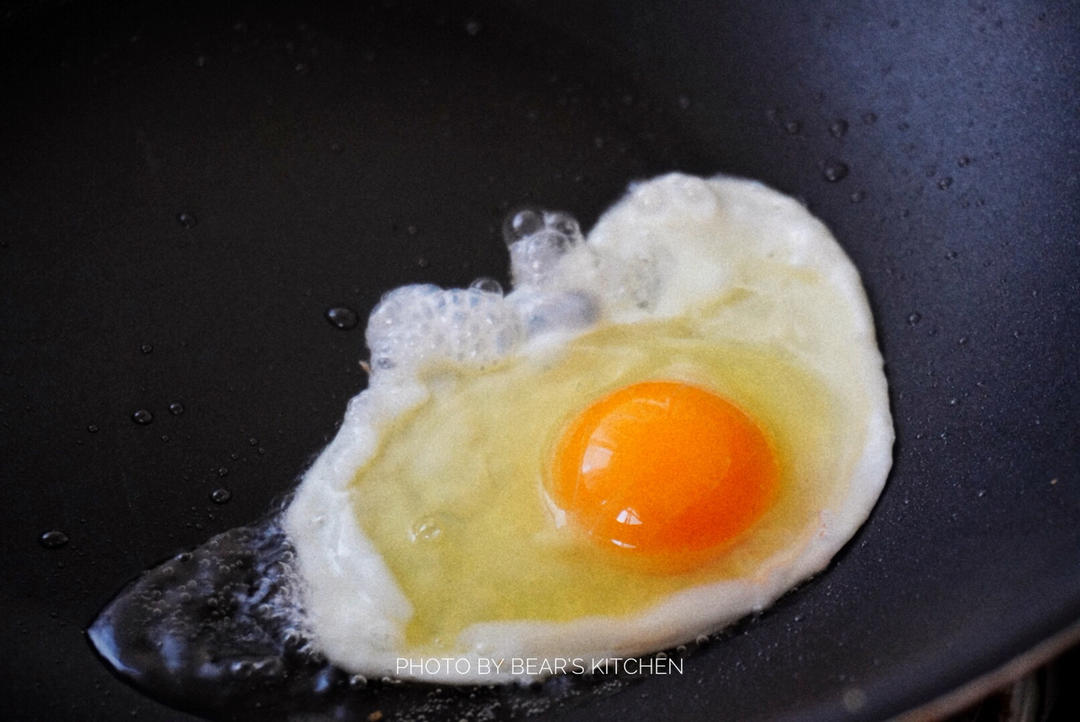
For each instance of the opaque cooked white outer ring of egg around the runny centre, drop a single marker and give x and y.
(751, 265)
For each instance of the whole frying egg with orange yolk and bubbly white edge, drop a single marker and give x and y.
(661, 429)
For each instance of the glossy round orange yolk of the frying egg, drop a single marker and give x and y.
(664, 470)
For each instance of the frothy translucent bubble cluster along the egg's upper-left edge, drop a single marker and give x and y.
(560, 285)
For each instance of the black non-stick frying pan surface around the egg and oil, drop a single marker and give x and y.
(188, 187)
